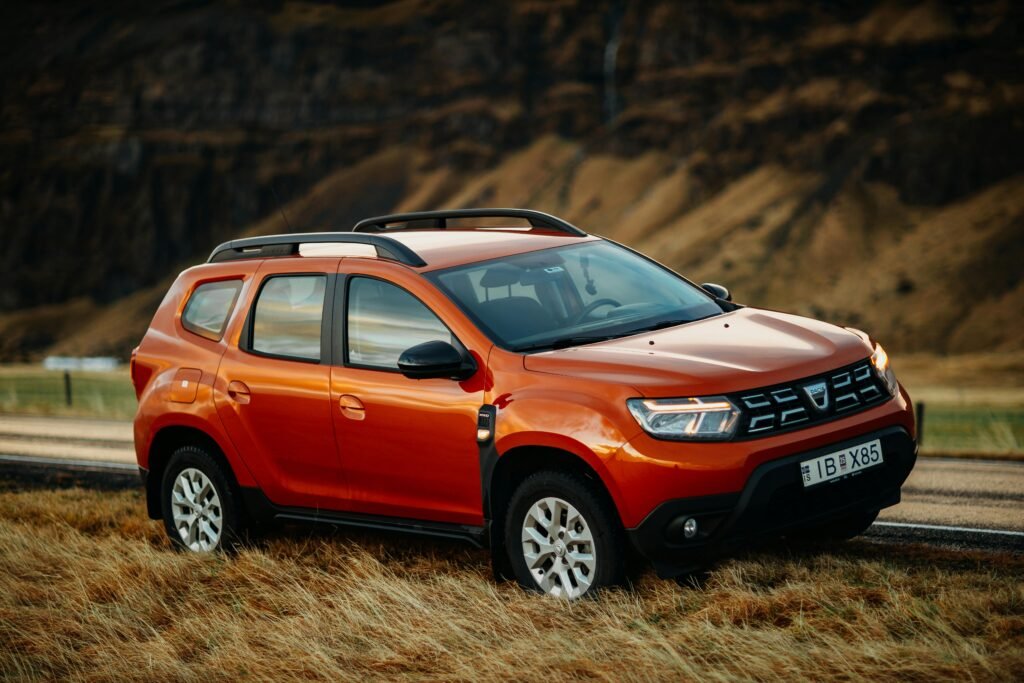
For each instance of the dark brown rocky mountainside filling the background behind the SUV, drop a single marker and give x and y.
(858, 161)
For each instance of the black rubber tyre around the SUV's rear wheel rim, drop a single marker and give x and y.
(231, 519)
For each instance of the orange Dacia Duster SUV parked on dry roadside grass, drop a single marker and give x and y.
(550, 394)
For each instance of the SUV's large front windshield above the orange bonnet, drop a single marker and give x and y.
(569, 296)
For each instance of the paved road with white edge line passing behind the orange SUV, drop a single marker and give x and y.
(947, 502)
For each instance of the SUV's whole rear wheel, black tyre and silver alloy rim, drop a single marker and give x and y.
(200, 508)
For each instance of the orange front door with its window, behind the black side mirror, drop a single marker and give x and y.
(408, 447)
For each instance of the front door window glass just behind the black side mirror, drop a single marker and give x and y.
(385, 321)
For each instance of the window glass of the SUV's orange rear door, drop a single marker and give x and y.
(288, 317)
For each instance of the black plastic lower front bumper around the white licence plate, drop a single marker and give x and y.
(774, 502)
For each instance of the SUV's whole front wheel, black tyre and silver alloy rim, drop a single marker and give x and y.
(563, 537)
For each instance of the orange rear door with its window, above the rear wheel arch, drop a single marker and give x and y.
(275, 386)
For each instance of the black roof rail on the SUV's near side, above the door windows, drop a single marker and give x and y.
(288, 245)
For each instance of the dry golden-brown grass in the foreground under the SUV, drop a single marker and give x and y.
(91, 590)
